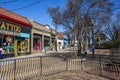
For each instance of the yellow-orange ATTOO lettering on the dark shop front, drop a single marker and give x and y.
(9, 27)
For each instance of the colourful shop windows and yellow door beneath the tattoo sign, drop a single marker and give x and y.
(12, 44)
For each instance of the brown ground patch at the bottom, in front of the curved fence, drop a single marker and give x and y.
(70, 75)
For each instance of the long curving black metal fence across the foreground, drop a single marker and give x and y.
(26, 68)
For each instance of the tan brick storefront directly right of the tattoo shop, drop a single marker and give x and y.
(40, 37)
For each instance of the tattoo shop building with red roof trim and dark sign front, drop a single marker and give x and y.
(14, 33)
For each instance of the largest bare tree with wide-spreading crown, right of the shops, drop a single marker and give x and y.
(78, 15)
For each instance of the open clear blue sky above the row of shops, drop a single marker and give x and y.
(36, 12)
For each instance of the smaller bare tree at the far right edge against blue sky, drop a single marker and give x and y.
(112, 32)
